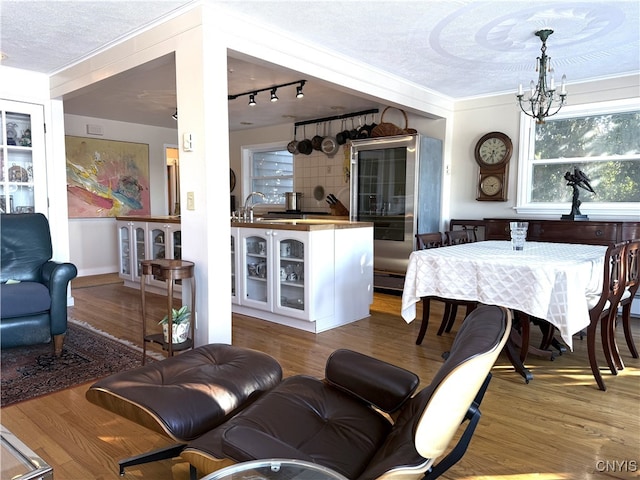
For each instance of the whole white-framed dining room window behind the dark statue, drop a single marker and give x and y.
(601, 140)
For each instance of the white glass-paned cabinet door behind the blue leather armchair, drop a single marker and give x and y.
(22, 158)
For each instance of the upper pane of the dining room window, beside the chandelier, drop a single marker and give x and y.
(591, 136)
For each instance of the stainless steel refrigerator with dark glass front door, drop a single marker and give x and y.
(396, 183)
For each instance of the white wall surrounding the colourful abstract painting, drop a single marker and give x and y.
(93, 241)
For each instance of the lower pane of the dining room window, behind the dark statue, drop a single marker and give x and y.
(613, 181)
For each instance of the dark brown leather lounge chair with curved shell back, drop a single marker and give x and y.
(339, 422)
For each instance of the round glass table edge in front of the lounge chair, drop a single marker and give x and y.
(275, 469)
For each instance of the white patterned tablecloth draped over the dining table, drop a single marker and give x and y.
(545, 280)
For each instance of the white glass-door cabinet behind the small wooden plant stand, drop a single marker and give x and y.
(139, 240)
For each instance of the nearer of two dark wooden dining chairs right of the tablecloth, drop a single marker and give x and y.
(603, 309)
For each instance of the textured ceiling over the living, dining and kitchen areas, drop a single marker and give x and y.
(460, 48)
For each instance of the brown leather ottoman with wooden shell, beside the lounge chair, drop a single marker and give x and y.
(185, 396)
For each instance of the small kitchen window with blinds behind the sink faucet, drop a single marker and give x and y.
(271, 172)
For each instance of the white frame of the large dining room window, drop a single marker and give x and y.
(594, 210)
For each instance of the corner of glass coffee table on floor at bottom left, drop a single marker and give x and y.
(19, 462)
